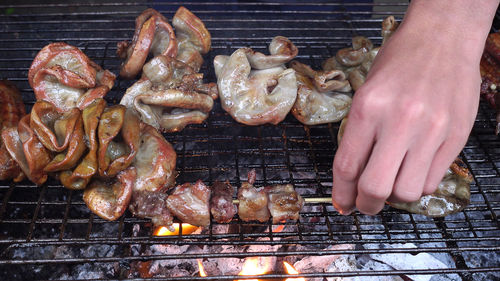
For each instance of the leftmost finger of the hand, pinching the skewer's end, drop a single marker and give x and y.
(350, 159)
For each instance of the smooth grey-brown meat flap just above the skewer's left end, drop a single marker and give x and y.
(154, 162)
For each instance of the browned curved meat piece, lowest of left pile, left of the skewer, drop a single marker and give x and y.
(109, 199)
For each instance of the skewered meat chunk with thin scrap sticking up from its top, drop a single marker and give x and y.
(252, 201)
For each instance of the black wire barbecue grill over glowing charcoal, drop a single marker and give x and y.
(48, 233)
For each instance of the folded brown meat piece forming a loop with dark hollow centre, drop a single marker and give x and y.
(119, 136)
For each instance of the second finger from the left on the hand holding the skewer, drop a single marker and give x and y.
(376, 182)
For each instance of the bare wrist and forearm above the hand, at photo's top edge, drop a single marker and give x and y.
(452, 24)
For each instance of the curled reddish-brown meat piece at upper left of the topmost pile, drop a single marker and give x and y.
(153, 34)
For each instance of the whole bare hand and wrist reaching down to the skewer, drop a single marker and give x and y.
(414, 114)
